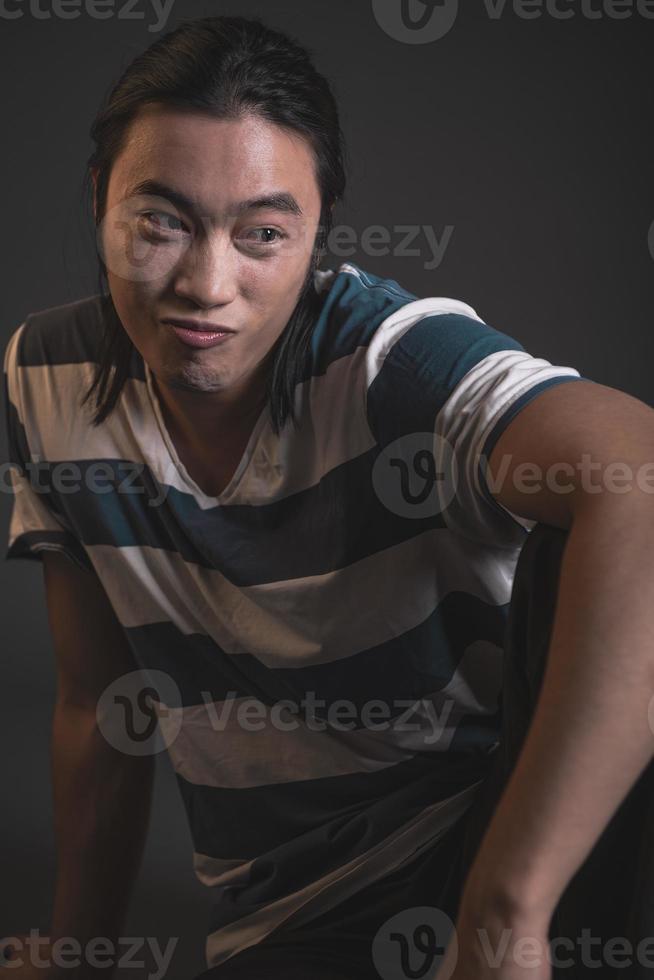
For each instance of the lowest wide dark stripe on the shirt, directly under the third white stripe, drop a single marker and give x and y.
(227, 822)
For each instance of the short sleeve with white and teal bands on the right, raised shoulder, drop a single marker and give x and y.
(452, 375)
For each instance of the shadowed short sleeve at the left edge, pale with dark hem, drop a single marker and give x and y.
(35, 524)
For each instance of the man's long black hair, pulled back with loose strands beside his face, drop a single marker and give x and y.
(228, 67)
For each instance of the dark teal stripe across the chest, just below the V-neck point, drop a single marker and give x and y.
(342, 517)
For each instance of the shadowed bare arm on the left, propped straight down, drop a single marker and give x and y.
(101, 795)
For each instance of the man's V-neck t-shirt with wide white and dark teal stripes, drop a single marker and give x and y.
(350, 584)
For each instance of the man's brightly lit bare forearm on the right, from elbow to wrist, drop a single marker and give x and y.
(590, 736)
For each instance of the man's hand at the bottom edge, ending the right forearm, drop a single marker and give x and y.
(491, 948)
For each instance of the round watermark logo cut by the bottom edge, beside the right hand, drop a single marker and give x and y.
(412, 945)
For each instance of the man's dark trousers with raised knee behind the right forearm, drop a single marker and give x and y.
(611, 897)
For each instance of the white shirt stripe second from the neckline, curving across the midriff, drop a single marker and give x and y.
(311, 620)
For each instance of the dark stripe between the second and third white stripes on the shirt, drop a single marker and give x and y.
(407, 667)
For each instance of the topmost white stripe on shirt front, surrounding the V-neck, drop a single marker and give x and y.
(332, 430)
